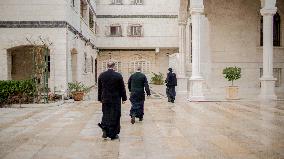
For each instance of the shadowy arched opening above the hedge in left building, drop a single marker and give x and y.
(28, 61)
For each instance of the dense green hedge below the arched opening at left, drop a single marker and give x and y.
(16, 91)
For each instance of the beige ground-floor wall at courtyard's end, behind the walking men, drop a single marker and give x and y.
(159, 62)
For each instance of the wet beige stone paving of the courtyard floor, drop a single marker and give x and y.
(204, 130)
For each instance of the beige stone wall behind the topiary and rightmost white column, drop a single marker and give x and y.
(234, 41)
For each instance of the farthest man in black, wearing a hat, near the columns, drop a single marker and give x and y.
(171, 83)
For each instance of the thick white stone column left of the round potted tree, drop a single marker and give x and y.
(196, 79)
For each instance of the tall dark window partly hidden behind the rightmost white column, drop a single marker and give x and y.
(276, 30)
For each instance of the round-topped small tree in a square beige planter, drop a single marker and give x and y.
(232, 74)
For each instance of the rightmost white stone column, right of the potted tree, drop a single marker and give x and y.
(267, 79)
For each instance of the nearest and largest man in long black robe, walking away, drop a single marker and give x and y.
(111, 90)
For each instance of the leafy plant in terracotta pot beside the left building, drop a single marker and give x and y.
(78, 90)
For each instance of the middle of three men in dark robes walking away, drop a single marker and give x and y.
(136, 84)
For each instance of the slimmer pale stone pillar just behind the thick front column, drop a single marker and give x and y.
(182, 79)
